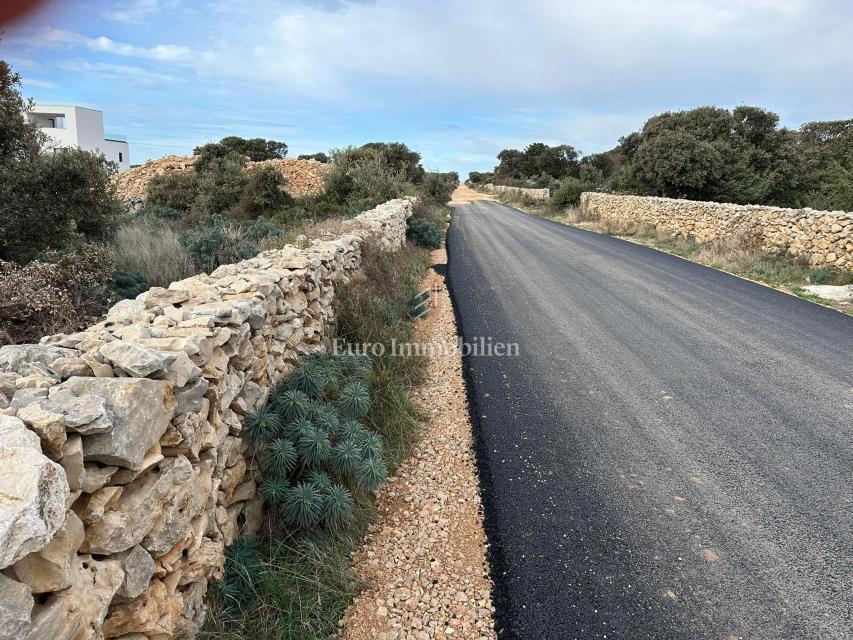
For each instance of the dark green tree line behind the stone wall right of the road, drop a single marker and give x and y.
(709, 153)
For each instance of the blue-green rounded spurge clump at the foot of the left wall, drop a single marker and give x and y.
(312, 462)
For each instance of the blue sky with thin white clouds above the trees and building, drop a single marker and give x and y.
(457, 81)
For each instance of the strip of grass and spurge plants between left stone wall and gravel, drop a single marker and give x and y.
(327, 438)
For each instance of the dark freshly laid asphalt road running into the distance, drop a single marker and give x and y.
(671, 453)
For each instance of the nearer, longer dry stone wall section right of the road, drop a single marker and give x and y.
(818, 237)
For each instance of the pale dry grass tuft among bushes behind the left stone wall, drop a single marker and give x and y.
(153, 249)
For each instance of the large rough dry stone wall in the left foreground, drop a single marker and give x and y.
(122, 467)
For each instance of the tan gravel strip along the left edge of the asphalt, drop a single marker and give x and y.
(425, 557)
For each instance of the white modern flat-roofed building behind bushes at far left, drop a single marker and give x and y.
(69, 126)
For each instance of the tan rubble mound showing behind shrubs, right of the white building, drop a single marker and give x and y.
(304, 177)
